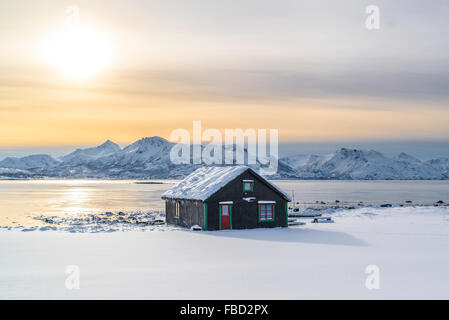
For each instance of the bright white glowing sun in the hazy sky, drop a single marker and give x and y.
(79, 53)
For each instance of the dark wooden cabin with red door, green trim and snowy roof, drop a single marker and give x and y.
(228, 197)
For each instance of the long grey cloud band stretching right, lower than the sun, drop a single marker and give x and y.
(266, 85)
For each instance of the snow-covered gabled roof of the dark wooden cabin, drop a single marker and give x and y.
(205, 181)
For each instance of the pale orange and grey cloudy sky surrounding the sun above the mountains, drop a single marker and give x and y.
(171, 67)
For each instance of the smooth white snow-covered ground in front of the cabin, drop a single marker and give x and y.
(408, 245)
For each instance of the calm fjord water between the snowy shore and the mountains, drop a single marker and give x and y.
(21, 199)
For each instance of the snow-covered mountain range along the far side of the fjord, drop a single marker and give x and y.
(149, 158)
